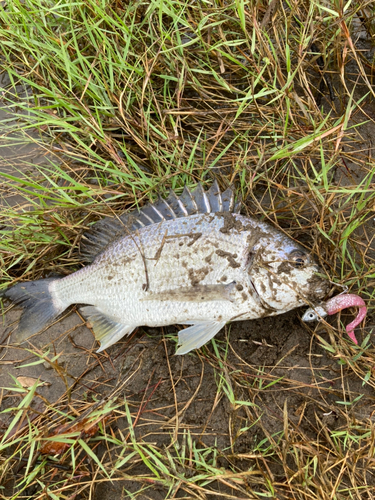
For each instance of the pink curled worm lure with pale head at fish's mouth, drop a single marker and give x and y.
(336, 304)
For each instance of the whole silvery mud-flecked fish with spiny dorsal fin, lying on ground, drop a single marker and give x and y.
(190, 260)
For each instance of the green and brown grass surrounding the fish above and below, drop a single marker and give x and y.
(127, 100)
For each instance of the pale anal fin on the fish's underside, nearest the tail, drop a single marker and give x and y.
(107, 331)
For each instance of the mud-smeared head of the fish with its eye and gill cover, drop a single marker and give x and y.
(285, 275)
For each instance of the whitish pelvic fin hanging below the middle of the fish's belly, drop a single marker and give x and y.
(197, 335)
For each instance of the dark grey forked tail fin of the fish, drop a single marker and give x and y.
(40, 307)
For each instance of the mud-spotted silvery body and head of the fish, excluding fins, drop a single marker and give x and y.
(187, 253)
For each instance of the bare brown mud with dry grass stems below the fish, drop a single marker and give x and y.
(171, 395)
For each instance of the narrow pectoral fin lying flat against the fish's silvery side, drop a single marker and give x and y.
(198, 293)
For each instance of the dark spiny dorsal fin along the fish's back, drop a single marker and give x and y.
(199, 201)
